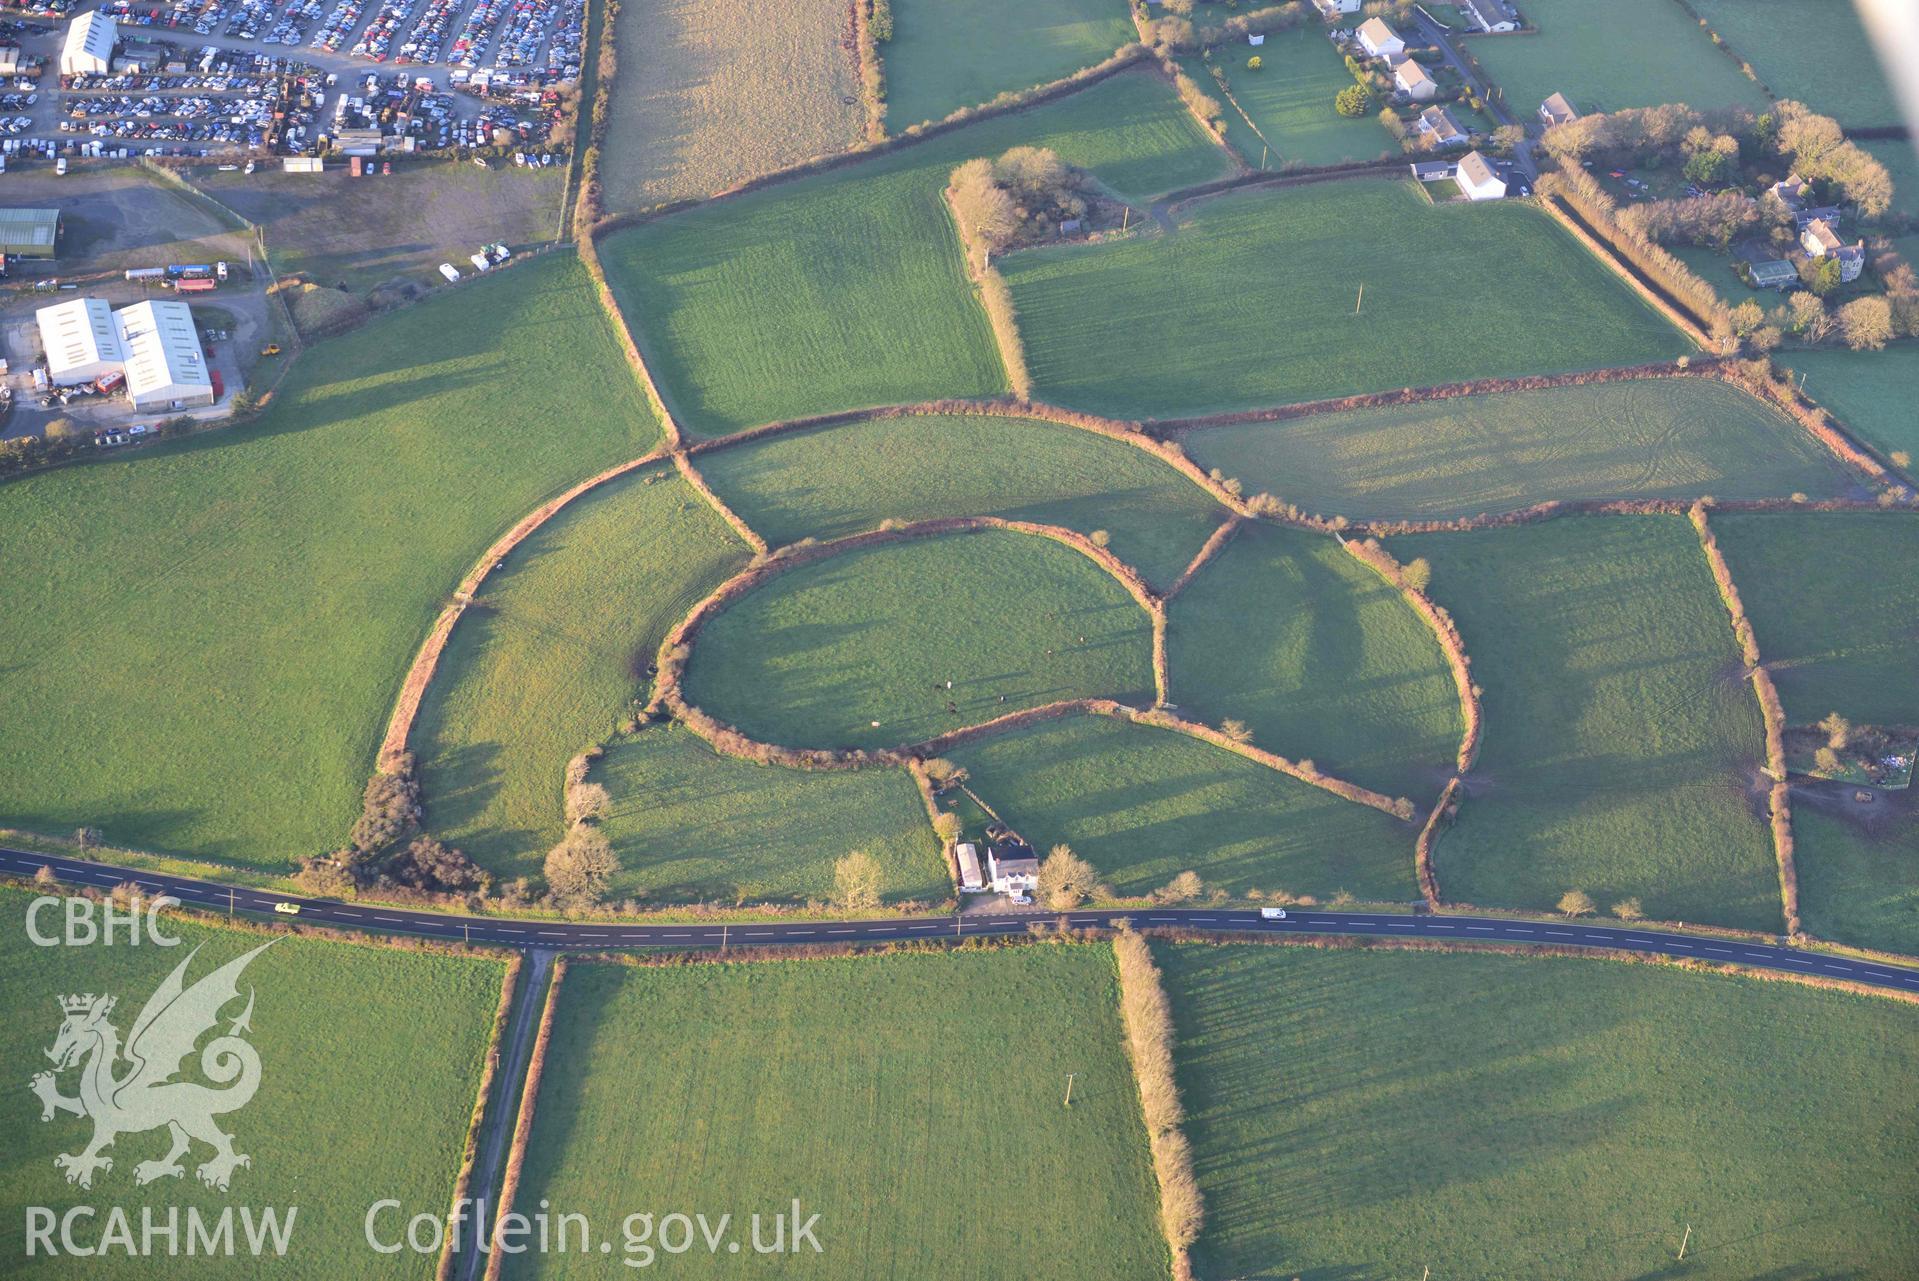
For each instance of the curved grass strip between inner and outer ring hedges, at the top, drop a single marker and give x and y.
(849, 478)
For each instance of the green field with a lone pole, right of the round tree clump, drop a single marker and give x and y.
(1250, 304)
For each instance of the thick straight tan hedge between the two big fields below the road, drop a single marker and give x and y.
(1147, 1017)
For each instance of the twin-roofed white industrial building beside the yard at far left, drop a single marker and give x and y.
(153, 344)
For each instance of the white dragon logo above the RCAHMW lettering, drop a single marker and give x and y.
(147, 1096)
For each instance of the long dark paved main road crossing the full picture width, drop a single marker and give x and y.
(738, 935)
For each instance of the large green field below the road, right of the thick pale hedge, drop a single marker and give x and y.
(1367, 1115)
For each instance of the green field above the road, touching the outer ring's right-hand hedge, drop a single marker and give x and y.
(1623, 747)
